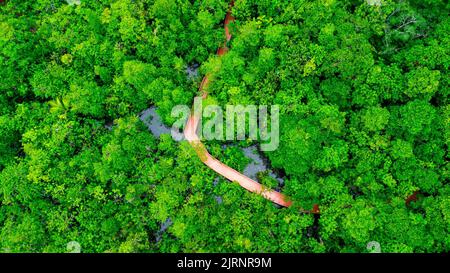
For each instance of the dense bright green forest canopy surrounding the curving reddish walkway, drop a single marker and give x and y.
(365, 123)
